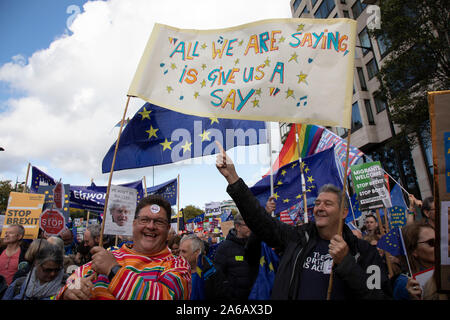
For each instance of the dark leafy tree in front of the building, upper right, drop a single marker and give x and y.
(417, 34)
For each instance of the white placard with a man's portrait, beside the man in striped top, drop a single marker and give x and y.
(120, 211)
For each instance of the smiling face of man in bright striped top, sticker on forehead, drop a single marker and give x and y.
(150, 230)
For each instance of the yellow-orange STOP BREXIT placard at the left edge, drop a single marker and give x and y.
(24, 209)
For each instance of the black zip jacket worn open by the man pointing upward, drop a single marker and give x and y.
(298, 241)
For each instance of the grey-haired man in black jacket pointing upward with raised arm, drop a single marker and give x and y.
(314, 250)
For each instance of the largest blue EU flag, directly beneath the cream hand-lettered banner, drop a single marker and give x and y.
(156, 136)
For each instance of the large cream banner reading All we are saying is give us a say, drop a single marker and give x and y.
(285, 70)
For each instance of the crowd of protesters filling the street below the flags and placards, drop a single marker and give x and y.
(158, 263)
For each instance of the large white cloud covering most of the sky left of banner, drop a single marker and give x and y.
(75, 90)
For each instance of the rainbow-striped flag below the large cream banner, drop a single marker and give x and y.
(309, 137)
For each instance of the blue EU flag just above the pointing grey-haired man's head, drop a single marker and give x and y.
(318, 169)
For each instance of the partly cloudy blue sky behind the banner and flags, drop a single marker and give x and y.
(65, 69)
